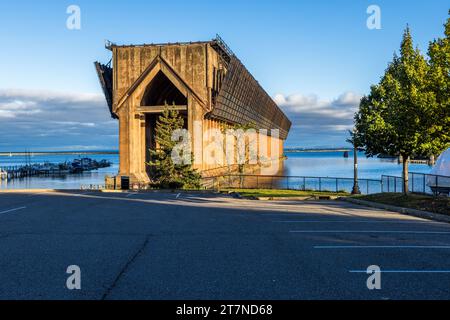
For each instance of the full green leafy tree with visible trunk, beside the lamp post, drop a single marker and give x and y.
(394, 118)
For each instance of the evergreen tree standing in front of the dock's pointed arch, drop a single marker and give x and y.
(165, 173)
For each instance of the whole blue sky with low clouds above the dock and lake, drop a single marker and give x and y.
(315, 58)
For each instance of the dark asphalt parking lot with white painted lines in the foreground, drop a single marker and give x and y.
(206, 246)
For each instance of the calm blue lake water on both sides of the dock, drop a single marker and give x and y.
(324, 164)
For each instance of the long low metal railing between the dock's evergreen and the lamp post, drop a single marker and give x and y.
(304, 183)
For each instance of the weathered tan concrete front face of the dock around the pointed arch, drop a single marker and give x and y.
(192, 69)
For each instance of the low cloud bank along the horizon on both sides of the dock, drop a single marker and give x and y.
(43, 120)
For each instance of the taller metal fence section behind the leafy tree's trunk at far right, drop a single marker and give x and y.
(418, 183)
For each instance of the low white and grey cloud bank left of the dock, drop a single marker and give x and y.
(44, 120)
